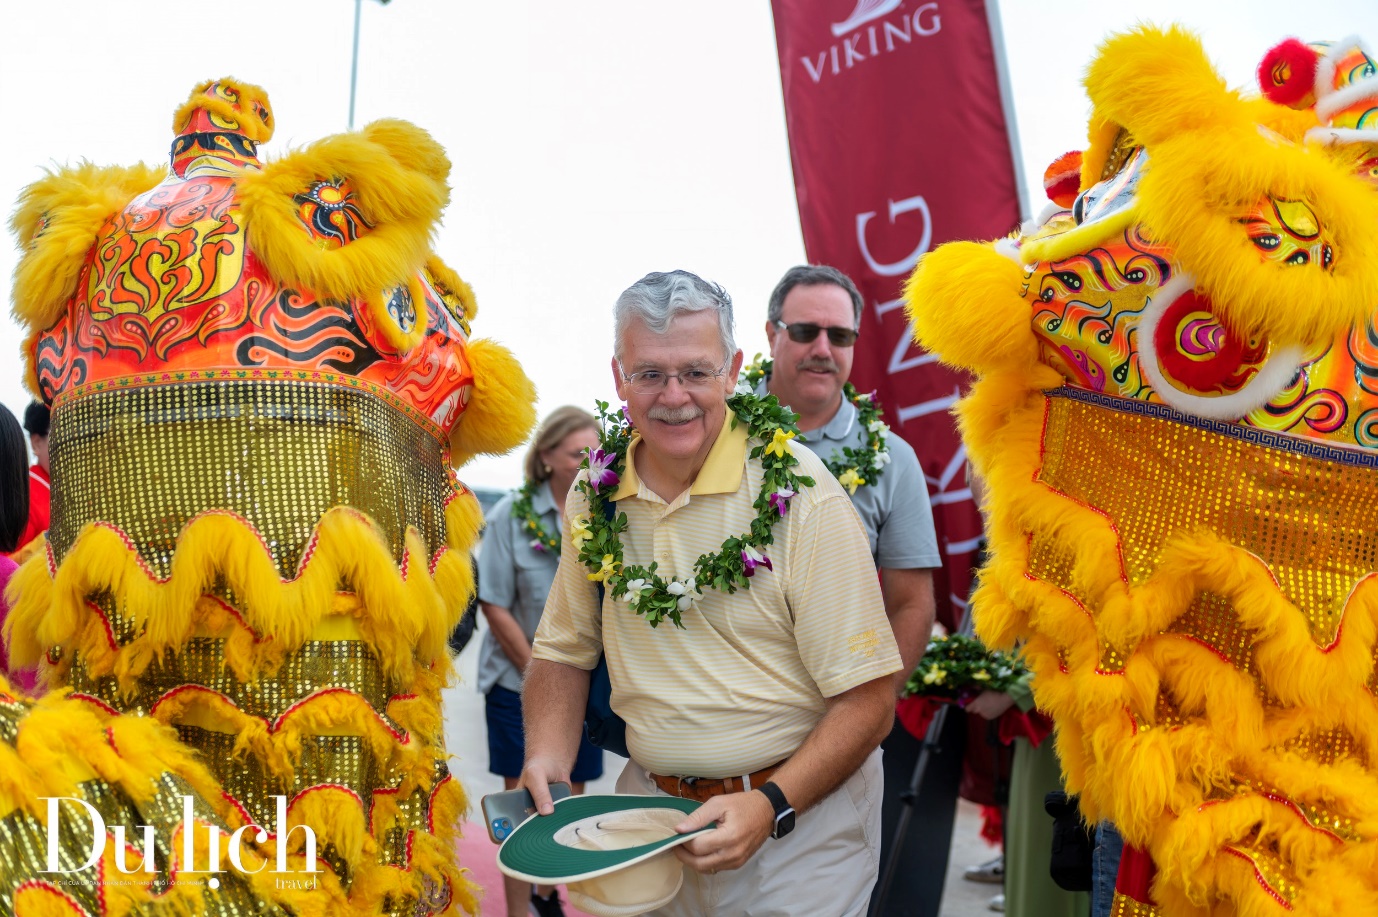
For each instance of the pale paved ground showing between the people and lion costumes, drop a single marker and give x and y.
(465, 737)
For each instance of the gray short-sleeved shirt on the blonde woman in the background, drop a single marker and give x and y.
(517, 577)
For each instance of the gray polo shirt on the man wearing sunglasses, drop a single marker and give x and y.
(895, 511)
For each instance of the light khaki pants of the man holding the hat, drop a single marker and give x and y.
(826, 867)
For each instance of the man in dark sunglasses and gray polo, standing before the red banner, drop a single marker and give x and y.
(812, 326)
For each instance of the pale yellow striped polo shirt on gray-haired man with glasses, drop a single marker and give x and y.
(745, 682)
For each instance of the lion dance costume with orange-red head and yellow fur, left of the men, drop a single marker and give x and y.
(261, 383)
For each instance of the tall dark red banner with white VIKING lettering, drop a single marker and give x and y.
(901, 141)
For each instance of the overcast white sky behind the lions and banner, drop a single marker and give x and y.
(592, 143)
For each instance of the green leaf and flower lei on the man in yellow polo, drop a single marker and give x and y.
(599, 538)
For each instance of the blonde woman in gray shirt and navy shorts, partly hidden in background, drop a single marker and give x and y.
(516, 567)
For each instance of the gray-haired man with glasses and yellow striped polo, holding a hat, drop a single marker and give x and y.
(770, 703)
